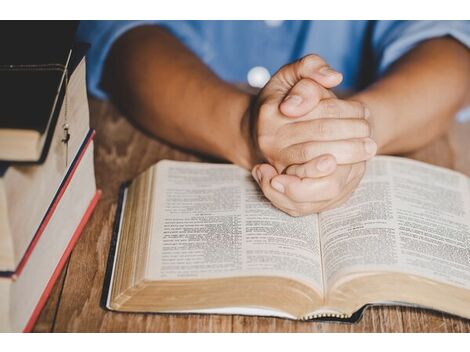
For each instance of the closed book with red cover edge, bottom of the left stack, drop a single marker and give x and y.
(23, 297)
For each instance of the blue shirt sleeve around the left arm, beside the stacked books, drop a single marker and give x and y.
(101, 35)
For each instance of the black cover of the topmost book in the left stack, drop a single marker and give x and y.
(34, 55)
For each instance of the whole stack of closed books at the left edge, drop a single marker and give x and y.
(47, 181)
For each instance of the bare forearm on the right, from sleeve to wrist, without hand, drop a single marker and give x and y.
(418, 98)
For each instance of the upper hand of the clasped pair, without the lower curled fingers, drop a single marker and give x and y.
(297, 119)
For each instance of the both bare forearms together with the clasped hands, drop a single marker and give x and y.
(307, 157)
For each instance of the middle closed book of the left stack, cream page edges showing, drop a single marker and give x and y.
(27, 192)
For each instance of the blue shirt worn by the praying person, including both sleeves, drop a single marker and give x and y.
(361, 50)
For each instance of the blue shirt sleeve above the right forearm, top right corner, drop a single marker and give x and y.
(392, 39)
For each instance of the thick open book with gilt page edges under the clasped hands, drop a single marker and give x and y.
(201, 238)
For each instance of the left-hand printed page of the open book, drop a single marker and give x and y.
(212, 221)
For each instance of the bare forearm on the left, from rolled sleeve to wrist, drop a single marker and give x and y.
(166, 89)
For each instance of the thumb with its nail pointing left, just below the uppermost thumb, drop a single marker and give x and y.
(303, 97)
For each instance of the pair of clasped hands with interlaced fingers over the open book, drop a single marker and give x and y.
(313, 144)
